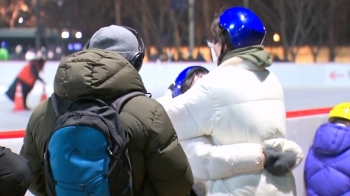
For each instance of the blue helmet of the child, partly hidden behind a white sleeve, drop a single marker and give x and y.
(179, 87)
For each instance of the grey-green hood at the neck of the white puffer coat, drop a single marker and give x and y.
(256, 55)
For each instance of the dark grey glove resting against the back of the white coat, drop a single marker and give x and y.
(279, 163)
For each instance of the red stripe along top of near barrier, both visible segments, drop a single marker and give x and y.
(290, 114)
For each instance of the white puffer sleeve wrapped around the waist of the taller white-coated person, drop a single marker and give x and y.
(210, 162)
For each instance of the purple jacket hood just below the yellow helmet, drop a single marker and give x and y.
(331, 139)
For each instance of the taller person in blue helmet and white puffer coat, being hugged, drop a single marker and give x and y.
(231, 122)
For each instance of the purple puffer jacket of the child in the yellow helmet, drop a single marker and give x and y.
(327, 166)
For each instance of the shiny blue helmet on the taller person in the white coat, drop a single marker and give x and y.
(243, 26)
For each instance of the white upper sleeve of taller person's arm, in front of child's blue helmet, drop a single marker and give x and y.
(193, 112)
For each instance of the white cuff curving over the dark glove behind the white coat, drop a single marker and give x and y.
(284, 145)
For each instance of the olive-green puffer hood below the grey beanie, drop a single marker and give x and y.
(99, 73)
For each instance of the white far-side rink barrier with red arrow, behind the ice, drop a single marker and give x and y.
(160, 75)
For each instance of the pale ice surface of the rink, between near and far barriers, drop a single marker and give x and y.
(295, 99)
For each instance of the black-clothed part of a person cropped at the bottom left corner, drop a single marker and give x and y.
(15, 173)
